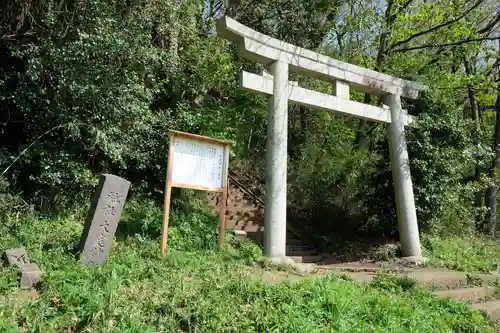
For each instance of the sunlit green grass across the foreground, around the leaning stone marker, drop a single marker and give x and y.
(197, 288)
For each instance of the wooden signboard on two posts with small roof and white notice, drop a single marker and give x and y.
(200, 163)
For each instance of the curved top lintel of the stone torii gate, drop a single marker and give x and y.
(261, 48)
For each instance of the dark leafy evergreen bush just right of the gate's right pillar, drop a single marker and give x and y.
(444, 148)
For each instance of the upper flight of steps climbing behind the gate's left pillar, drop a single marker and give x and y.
(245, 211)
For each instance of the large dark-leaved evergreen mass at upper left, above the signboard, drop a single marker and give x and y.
(96, 89)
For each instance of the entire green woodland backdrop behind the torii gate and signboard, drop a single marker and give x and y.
(92, 86)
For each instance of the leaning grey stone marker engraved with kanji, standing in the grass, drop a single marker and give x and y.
(102, 220)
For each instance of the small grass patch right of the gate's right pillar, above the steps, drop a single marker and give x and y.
(469, 254)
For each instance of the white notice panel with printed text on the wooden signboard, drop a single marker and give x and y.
(197, 163)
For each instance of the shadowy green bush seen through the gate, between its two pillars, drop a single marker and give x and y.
(326, 175)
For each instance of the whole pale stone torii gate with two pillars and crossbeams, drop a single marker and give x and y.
(282, 57)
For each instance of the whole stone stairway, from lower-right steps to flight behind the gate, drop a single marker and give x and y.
(245, 211)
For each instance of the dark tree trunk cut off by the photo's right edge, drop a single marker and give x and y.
(491, 193)
